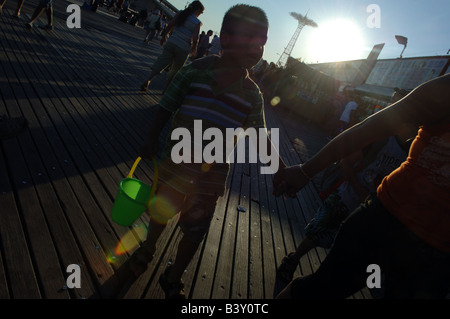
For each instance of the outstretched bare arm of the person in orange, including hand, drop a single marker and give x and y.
(426, 105)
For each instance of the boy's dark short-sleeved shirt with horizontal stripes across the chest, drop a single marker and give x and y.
(192, 95)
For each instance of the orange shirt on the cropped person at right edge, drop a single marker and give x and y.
(418, 192)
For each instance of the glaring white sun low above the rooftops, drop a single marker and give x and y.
(336, 40)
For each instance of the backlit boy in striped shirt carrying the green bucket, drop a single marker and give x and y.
(219, 92)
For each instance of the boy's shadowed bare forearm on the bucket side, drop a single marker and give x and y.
(150, 146)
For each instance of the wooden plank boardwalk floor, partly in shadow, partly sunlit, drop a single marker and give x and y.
(79, 90)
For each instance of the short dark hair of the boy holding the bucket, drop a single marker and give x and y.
(240, 13)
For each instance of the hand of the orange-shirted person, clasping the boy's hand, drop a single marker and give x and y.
(288, 181)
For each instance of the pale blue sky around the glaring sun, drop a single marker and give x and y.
(347, 29)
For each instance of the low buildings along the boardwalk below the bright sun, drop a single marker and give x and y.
(310, 91)
